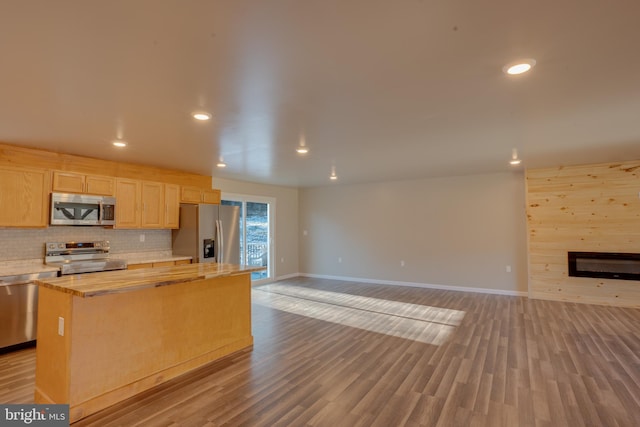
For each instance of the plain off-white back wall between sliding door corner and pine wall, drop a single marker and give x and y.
(456, 232)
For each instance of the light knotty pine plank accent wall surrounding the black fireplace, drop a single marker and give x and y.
(591, 208)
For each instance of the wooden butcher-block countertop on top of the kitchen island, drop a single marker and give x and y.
(112, 282)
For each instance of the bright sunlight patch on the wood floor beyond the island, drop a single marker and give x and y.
(430, 325)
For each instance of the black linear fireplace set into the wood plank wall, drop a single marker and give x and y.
(609, 265)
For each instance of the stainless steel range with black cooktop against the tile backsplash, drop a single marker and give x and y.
(81, 257)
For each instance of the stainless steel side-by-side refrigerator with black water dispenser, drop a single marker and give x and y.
(208, 233)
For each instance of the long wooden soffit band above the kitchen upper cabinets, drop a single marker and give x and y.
(29, 157)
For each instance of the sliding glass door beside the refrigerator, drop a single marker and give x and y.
(256, 231)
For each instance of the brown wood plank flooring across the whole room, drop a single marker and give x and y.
(333, 353)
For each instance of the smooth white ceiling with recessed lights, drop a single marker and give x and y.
(380, 90)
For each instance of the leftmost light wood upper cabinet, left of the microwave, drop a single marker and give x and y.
(24, 197)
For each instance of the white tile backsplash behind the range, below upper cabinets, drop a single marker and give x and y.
(27, 243)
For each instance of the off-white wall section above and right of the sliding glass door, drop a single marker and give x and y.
(286, 227)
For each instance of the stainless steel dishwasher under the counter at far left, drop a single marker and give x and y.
(19, 308)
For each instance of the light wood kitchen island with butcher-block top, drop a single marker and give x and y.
(104, 337)
